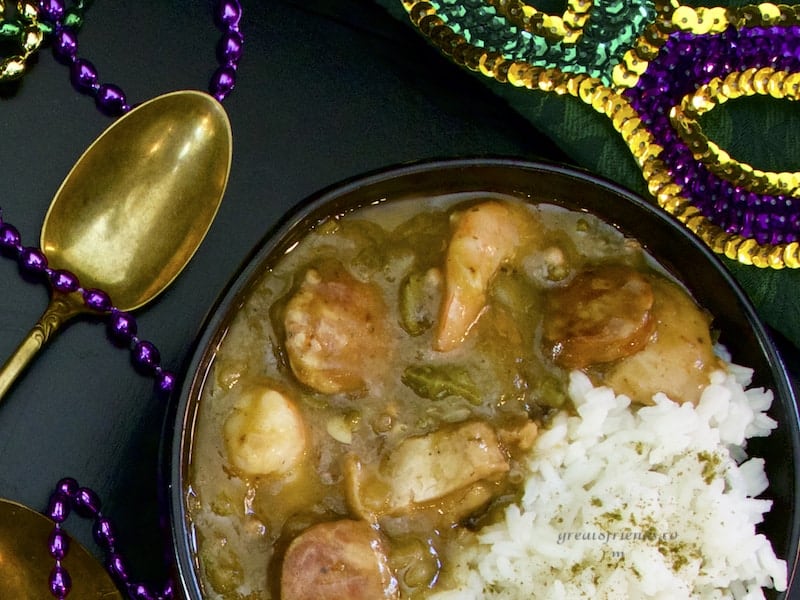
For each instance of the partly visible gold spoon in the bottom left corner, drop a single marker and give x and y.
(25, 562)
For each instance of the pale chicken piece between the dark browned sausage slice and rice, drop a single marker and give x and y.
(679, 357)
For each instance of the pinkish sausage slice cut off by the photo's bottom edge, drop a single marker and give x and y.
(340, 560)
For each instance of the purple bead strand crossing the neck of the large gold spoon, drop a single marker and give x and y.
(122, 327)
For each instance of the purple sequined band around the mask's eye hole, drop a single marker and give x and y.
(686, 61)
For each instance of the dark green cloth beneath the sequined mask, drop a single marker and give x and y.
(760, 131)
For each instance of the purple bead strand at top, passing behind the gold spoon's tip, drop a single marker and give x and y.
(110, 98)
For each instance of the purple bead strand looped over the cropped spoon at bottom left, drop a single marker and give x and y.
(69, 496)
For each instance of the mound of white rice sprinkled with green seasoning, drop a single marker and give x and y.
(659, 502)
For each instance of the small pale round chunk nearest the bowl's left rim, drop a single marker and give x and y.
(264, 433)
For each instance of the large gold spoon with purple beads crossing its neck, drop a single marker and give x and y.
(134, 209)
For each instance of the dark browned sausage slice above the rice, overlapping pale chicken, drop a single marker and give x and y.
(602, 315)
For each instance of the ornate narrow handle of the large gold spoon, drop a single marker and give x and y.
(62, 307)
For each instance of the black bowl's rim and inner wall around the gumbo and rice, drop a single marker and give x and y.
(666, 239)
